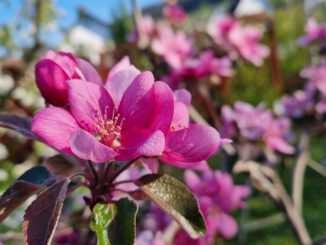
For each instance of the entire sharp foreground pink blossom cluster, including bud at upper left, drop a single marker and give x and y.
(127, 117)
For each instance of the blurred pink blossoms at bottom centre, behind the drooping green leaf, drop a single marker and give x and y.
(217, 196)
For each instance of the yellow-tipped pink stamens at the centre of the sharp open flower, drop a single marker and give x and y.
(108, 129)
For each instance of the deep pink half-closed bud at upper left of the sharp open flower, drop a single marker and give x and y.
(54, 70)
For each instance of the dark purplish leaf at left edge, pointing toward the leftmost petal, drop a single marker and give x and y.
(19, 123)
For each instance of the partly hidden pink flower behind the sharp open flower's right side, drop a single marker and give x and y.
(188, 145)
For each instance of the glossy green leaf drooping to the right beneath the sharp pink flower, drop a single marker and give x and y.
(174, 198)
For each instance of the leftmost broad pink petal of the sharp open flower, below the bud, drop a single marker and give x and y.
(54, 126)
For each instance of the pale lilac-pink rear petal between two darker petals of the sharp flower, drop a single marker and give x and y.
(118, 83)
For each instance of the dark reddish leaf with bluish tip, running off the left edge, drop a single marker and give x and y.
(32, 181)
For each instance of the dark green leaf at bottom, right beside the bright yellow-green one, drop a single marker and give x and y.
(122, 229)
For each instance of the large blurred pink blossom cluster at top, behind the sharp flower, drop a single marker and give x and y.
(188, 64)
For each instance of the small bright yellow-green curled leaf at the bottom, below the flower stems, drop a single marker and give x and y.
(101, 218)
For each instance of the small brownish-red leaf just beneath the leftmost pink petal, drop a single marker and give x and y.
(58, 165)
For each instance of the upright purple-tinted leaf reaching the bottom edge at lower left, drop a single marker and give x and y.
(42, 216)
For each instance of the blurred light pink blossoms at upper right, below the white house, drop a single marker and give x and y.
(238, 40)
